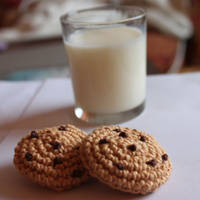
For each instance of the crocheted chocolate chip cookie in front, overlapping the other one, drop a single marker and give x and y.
(126, 159)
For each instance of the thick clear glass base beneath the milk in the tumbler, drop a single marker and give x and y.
(108, 118)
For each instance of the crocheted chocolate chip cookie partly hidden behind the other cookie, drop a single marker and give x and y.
(51, 158)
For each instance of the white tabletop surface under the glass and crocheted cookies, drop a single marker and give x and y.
(172, 115)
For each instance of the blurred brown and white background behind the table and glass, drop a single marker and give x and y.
(31, 46)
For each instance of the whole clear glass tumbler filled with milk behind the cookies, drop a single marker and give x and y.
(106, 50)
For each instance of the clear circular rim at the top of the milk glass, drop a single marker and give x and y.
(66, 20)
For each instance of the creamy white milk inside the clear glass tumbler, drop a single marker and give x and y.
(108, 68)
